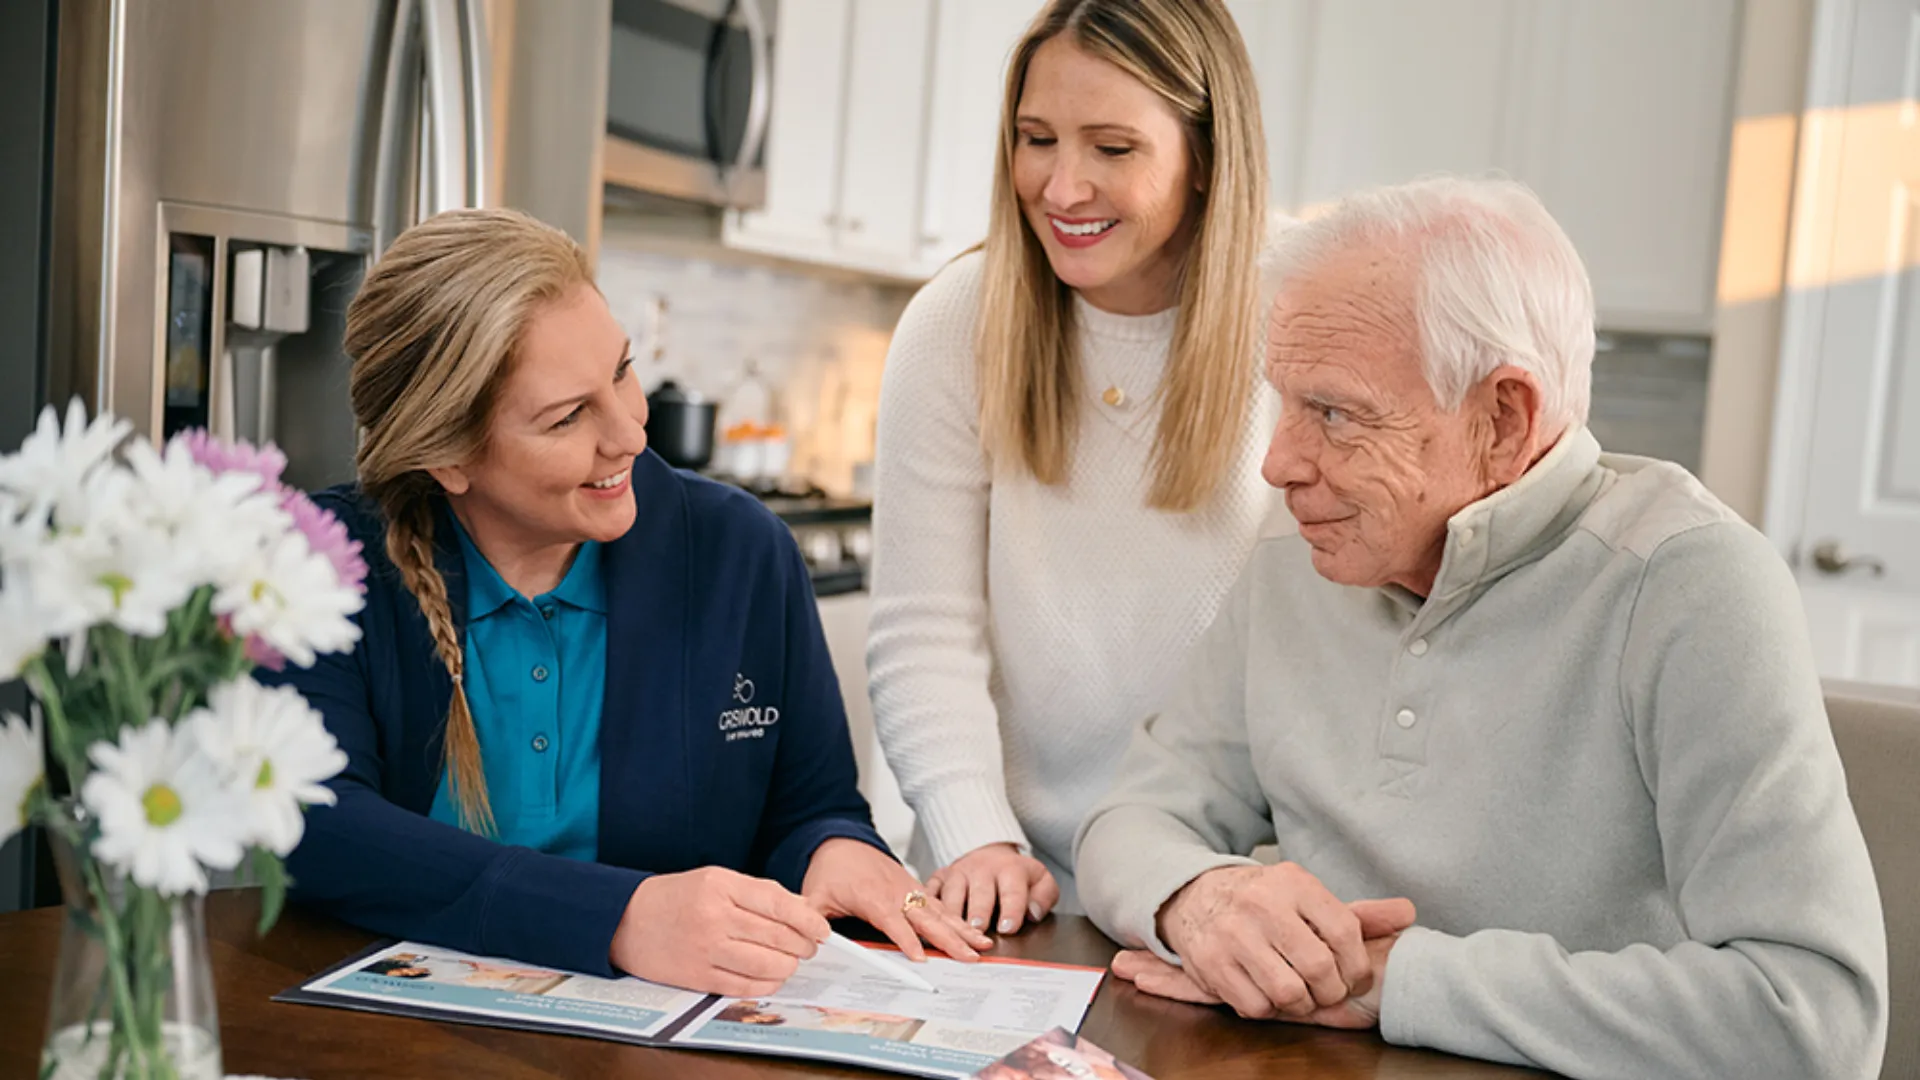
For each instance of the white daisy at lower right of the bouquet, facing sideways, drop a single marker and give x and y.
(277, 754)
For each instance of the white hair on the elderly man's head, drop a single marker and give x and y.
(1499, 283)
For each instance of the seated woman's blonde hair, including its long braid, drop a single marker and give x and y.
(431, 335)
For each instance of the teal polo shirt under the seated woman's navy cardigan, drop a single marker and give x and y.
(537, 683)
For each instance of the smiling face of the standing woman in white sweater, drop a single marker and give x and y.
(1105, 178)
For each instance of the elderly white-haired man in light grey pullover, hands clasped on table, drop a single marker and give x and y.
(1560, 702)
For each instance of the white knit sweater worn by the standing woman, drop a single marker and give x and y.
(1020, 631)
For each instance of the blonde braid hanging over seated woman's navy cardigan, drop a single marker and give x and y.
(410, 543)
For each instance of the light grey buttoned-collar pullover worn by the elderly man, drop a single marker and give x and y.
(1596, 760)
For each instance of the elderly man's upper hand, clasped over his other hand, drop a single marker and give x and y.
(1274, 941)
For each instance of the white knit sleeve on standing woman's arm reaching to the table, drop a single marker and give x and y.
(928, 656)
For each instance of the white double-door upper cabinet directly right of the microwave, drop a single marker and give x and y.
(848, 141)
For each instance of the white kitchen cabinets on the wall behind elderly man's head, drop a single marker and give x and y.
(1618, 112)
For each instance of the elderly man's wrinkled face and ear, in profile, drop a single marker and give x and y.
(1372, 466)
